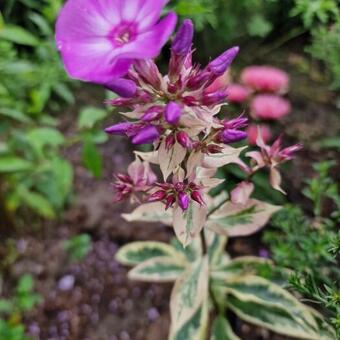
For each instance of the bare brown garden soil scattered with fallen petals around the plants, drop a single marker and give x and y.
(93, 299)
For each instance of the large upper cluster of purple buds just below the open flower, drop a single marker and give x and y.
(180, 104)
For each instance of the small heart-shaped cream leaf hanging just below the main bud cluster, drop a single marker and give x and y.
(169, 160)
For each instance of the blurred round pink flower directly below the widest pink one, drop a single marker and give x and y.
(269, 106)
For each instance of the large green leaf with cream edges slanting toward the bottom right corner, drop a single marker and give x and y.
(266, 304)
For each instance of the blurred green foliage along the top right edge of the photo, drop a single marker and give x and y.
(270, 24)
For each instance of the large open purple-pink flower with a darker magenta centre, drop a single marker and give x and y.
(99, 39)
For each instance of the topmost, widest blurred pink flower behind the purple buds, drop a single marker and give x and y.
(265, 78)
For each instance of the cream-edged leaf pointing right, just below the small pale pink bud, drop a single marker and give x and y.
(241, 220)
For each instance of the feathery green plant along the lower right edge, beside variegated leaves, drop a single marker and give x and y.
(315, 239)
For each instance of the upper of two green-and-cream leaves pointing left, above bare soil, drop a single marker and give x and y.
(138, 252)
